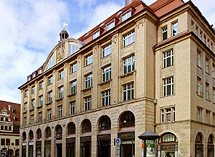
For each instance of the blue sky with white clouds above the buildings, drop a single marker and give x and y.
(30, 30)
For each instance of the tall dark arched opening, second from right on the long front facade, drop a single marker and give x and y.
(104, 137)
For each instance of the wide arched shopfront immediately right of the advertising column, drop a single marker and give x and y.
(168, 145)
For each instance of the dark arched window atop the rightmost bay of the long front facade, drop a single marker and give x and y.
(127, 120)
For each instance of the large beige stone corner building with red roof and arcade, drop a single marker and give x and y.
(145, 67)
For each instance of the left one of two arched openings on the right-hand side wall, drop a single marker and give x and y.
(199, 147)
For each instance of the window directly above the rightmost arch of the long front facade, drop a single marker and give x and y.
(128, 91)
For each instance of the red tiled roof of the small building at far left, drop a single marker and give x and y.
(14, 112)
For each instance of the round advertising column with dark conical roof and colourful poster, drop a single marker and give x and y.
(149, 143)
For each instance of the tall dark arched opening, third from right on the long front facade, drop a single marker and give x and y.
(85, 141)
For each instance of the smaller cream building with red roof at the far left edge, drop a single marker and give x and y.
(9, 129)
